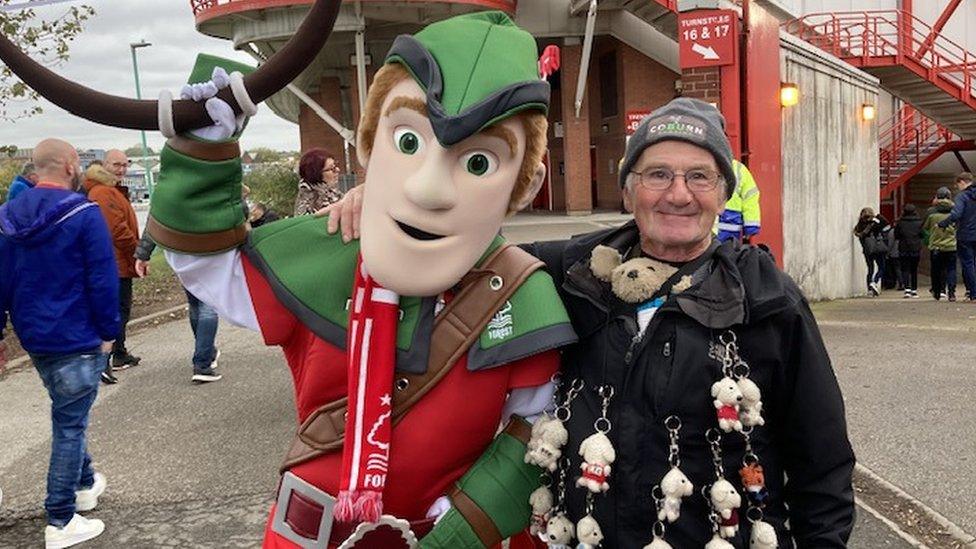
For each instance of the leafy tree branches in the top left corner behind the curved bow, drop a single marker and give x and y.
(46, 41)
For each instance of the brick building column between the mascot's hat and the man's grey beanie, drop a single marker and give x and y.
(576, 141)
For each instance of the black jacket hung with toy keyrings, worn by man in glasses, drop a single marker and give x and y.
(668, 372)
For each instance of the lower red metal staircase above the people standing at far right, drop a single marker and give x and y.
(909, 142)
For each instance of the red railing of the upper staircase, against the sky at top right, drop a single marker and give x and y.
(894, 36)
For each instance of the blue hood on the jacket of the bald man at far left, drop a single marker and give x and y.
(34, 218)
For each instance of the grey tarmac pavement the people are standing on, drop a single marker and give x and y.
(196, 465)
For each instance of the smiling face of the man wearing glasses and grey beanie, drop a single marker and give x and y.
(675, 218)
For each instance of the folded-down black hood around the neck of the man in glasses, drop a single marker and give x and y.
(737, 285)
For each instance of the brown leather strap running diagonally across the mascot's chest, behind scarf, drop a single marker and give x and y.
(484, 291)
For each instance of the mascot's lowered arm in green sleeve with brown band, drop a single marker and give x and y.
(491, 501)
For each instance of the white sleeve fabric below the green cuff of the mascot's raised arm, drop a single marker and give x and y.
(219, 281)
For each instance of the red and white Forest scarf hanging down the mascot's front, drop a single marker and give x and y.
(371, 359)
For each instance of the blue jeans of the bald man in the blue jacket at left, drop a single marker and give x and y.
(72, 383)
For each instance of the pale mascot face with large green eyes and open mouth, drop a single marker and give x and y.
(430, 212)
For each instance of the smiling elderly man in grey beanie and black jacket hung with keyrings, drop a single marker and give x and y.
(655, 373)
